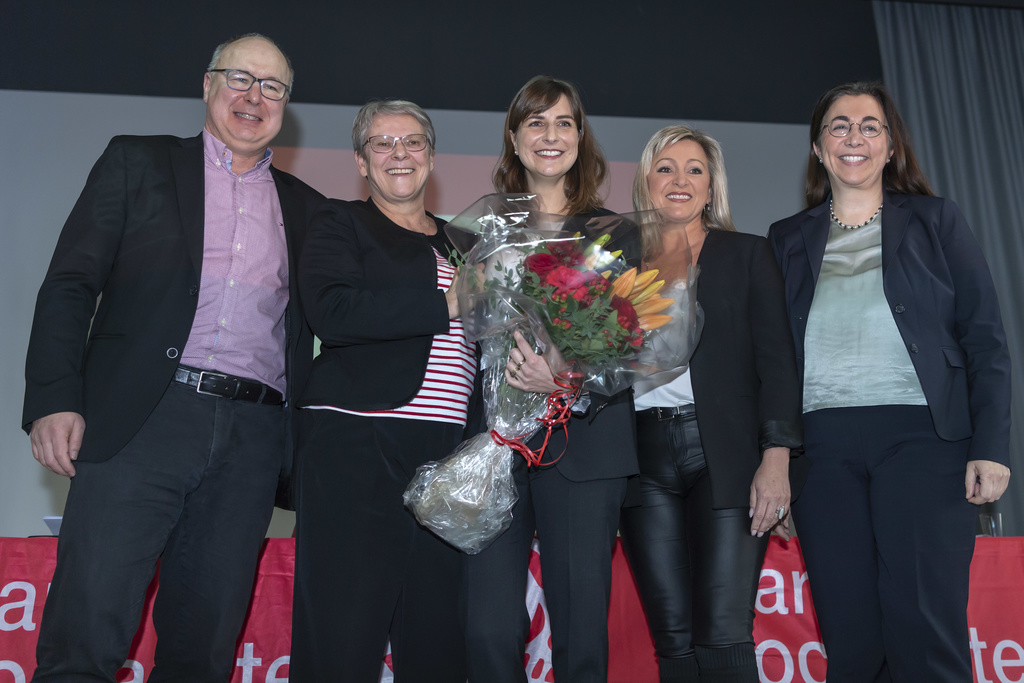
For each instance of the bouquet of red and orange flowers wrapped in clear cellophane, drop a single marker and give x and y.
(573, 287)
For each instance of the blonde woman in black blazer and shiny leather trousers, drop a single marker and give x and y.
(715, 438)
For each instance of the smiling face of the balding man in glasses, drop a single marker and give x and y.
(245, 122)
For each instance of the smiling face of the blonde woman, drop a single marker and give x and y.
(679, 182)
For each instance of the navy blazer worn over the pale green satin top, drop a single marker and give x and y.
(943, 300)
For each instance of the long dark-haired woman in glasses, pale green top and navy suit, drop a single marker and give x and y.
(906, 396)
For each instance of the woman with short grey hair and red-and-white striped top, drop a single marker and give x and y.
(389, 393)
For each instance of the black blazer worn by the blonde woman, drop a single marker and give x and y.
(744, 370)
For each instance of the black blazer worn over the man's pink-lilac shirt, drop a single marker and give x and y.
(135, 242)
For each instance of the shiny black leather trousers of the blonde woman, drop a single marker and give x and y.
(697, 568)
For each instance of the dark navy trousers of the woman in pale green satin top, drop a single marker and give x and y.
(888, 538)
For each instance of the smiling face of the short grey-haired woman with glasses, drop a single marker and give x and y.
(399, 178)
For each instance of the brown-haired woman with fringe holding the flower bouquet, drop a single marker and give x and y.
(573, 505)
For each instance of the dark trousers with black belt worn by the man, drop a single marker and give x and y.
(194, 489)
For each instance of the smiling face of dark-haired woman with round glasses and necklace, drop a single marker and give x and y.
(855, 162)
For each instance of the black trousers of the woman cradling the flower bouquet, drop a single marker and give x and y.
(576, 523)
